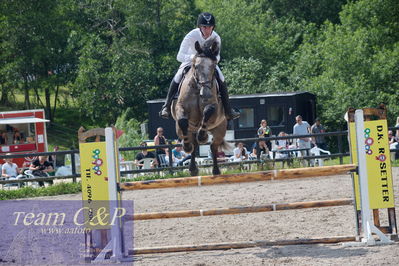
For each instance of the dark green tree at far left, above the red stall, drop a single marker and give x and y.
(34, 38)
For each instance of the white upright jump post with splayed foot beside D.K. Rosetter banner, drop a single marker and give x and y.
(367, 220)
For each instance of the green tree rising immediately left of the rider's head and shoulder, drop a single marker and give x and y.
(159, 27)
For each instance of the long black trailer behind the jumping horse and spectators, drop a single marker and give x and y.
(279, 109)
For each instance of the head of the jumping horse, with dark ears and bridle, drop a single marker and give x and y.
(204, 64)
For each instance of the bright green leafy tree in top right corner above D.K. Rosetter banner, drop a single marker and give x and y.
(354, 64)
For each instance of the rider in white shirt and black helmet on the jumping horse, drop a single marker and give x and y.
(205, 24)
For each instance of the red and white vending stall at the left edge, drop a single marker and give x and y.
(23, 132)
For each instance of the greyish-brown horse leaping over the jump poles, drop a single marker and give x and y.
(198, 108)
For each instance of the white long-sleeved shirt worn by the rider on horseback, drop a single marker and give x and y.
(187, 47)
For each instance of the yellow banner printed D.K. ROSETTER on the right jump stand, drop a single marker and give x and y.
(378, 161)
